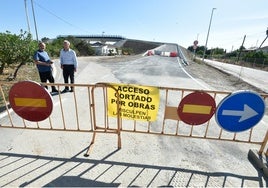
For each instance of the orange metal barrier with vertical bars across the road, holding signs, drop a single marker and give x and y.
(88, 105)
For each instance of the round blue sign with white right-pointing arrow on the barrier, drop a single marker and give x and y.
(240, 111)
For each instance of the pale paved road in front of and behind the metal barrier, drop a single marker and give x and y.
(44, 158)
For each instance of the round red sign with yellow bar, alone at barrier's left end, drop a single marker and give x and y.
(30, 101)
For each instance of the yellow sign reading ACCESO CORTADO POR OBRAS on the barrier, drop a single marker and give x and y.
(136, 102)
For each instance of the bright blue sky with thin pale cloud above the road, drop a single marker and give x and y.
(174, 21)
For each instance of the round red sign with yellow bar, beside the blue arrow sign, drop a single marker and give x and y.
(196, 108)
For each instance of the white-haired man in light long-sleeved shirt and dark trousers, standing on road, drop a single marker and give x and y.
(68, 61)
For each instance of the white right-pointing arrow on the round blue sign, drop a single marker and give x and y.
(245, 114)
